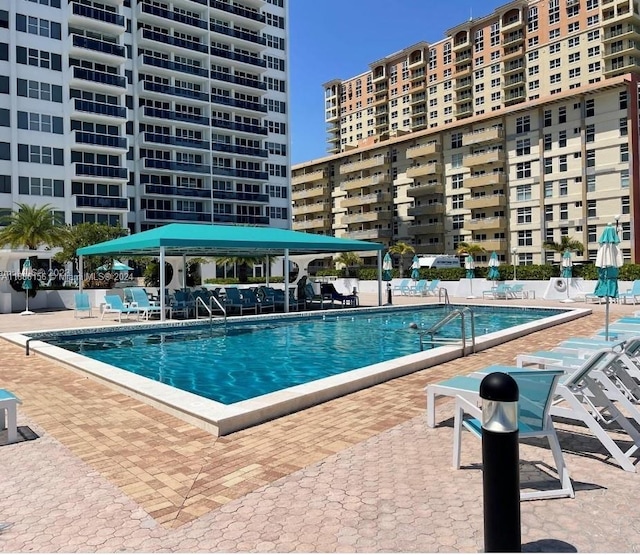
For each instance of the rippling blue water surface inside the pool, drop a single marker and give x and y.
(248, 359)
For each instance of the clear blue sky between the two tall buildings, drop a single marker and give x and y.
(340, 38)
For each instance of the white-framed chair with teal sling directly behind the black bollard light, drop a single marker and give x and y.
(536, 389)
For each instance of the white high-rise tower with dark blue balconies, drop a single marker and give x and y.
(145, 112)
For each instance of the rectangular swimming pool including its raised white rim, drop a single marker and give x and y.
(220, 418)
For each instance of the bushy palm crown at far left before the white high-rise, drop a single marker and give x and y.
(32, 227)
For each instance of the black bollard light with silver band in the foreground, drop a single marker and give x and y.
(500, 464)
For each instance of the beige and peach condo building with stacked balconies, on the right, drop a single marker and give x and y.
(518, 128)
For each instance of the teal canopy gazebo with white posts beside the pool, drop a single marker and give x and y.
(221, 240)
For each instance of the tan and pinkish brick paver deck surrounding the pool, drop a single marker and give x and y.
(361, 473)
